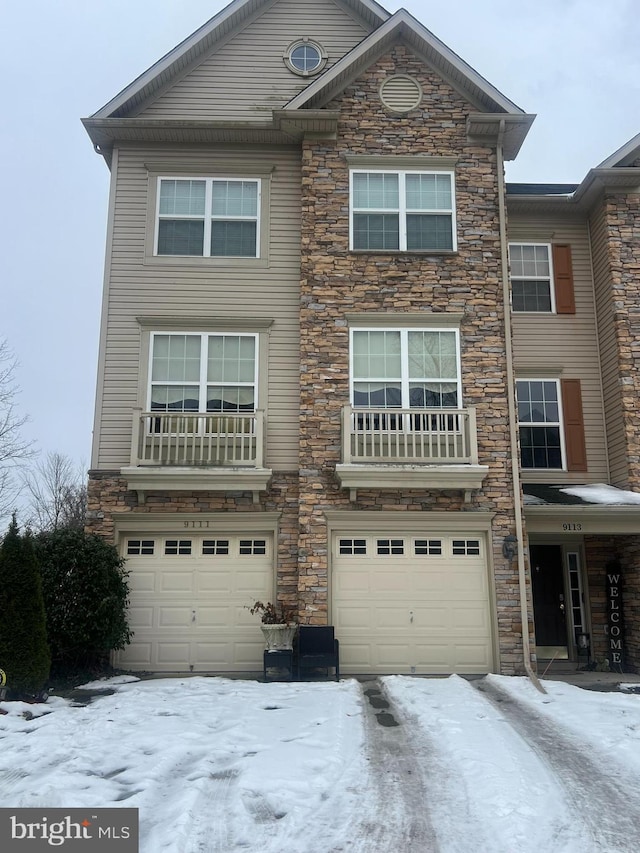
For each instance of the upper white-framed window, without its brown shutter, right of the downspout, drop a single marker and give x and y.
(531, 277)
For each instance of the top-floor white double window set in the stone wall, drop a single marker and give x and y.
(402, 211)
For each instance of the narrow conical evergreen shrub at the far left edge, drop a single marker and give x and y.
(24, 653)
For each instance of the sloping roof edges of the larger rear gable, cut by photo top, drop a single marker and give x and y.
(194, 48)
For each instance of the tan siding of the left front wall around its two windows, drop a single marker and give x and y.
(140, 288)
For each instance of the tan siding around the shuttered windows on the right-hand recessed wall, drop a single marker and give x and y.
(564, 345)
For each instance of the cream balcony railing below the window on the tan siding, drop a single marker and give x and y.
(197, 439)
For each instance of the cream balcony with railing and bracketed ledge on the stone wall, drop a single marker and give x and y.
(410, 449)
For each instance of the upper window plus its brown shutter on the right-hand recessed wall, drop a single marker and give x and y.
(541, 278)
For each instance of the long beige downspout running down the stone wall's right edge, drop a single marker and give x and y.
(511, 402)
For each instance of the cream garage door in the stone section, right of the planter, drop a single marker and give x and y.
(411, 603)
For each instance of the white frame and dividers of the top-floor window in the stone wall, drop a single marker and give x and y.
(403, 210)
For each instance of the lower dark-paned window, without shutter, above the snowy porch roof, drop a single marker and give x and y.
(540, 419)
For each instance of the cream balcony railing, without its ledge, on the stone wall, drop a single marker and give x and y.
(409, 436)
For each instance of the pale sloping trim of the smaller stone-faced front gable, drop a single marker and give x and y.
(395, 25)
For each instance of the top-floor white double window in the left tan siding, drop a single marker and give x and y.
(208, 217)
